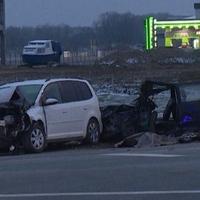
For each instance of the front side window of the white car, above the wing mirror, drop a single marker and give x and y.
(52, 91)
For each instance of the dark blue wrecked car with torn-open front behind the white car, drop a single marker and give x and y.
(162, 108)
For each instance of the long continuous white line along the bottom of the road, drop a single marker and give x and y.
(130, 193)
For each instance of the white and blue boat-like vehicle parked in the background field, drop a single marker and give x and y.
(42, 52)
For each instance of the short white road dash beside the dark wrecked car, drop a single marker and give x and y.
(144, 155)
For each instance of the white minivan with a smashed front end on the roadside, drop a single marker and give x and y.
(37, 112)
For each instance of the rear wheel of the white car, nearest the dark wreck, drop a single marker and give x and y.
(93, 132)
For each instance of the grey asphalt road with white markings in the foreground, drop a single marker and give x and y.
(162, 173)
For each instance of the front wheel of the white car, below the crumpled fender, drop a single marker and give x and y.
(35, 139)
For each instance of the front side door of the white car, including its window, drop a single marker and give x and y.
(54, 114)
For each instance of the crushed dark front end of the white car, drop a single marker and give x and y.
(14, 119)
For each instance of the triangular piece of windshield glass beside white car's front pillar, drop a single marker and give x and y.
(29, 92)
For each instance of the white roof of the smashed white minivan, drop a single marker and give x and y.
(39, 82)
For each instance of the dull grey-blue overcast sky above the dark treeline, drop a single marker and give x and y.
(84, 12)
